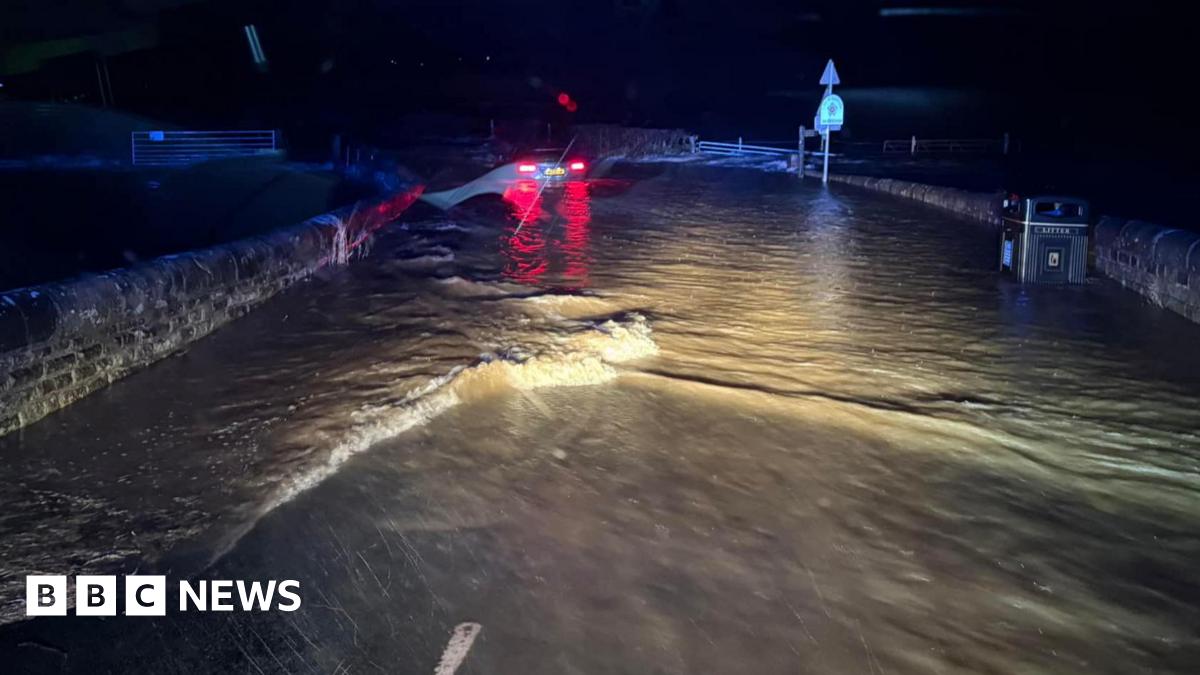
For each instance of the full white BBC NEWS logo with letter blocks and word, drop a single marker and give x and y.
(147, 596)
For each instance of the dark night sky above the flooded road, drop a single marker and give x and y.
(1071, 73)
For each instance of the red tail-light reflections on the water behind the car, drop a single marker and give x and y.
(544, 246)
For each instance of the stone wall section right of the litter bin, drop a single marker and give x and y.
(1159, 262)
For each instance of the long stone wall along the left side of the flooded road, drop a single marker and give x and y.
(63, 342)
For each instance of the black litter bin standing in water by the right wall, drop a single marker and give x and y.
(1045, 240)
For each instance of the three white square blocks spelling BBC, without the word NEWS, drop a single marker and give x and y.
(95, 596)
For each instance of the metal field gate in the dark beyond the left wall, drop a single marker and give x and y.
(178, 148)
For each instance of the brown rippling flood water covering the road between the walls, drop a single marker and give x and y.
(681, 420)
